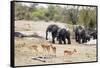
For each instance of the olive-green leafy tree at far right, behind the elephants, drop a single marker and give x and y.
(87, 16)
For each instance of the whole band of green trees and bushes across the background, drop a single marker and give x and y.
(82, 15)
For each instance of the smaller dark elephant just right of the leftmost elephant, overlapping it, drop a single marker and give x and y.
(62, 35)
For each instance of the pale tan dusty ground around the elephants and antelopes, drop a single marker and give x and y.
(24, 51)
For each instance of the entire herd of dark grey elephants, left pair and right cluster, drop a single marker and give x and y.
(82, 35)
